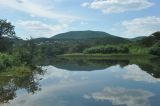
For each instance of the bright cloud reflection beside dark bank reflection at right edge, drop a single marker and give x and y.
(133, 72)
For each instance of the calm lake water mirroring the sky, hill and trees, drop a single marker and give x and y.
(81, 82)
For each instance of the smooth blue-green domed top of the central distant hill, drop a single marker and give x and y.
(83, 35)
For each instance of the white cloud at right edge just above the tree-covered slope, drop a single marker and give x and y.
(141, 26)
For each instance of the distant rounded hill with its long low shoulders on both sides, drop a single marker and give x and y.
(87, 37)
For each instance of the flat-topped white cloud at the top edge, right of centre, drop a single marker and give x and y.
(118, 6)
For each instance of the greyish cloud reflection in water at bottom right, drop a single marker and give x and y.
(123, 96)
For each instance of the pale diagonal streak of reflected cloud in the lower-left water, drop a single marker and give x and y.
(47, 95)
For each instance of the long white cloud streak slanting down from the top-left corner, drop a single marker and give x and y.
(35, 9)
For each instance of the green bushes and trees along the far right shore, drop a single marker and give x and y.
(142, 46)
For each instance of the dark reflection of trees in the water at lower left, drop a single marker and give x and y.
(9, 86)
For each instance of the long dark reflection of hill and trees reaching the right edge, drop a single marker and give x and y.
(151, 66)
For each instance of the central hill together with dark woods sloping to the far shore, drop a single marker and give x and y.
(77, 41)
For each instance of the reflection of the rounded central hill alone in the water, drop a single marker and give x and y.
(86, 65)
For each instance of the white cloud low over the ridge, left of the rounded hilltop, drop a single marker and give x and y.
(40, 29)
